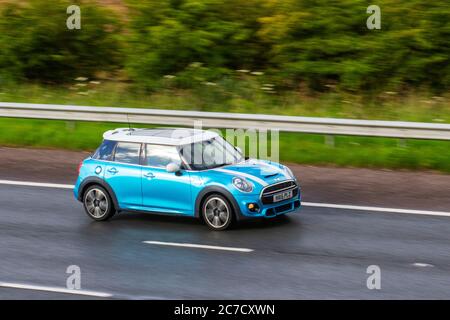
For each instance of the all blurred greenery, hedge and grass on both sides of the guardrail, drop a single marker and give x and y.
(290, 57)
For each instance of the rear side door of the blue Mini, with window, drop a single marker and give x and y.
(123, 174)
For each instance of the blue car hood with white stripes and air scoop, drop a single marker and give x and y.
(260, 171)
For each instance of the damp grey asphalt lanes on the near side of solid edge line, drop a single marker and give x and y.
(314, 253)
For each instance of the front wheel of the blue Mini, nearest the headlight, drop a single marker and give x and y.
(217, 212)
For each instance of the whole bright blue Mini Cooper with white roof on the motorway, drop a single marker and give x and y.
(187, 172)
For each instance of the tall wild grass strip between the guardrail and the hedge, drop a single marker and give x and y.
(245, 97)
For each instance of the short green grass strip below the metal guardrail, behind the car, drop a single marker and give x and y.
(297, 148)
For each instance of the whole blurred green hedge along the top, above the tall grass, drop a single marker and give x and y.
(297, 44)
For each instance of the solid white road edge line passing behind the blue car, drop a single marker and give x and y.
(306, 204)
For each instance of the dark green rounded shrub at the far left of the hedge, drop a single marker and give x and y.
(35, 43)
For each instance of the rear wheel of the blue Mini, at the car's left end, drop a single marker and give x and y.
(97, 203)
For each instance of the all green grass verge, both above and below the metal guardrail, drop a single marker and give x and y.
(298, 148)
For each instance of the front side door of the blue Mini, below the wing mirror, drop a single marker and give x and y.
(161, 190)
